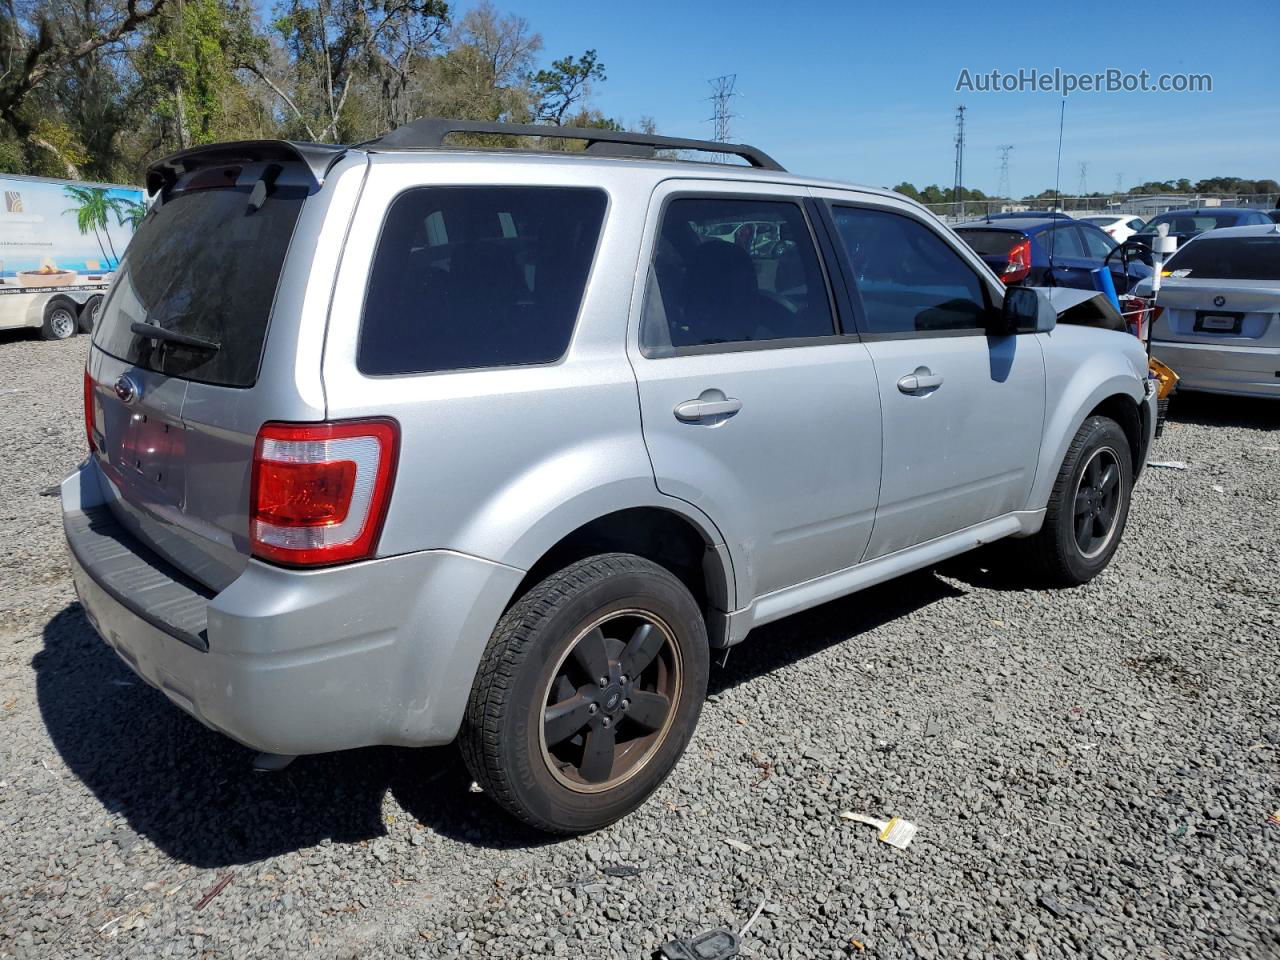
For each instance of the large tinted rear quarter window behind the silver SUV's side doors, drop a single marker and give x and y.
(474, 277)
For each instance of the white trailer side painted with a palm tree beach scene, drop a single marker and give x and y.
(54, 232)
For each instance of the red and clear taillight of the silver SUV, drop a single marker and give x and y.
(321, 491)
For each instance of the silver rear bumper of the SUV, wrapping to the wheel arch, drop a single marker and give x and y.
(382, 652)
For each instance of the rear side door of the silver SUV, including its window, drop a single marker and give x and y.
(756, 405)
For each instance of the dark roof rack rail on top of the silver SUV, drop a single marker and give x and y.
(431, 134)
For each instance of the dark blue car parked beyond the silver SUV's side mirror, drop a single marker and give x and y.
(1018, 250)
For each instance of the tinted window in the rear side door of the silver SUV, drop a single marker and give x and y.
(734, 272)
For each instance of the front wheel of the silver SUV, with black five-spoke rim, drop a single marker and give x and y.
(1059, 552)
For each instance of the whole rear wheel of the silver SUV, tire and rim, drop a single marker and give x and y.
(537, 682)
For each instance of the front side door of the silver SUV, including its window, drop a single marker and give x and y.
(963, 413)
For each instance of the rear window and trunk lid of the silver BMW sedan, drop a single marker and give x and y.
(1223, 291)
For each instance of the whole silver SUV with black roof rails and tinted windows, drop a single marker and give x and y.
(405, 444)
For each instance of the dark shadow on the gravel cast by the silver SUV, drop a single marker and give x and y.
(194, 794)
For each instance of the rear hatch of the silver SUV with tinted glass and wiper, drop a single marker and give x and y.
(177, 380)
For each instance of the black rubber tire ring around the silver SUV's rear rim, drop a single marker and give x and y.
(543, 797)
